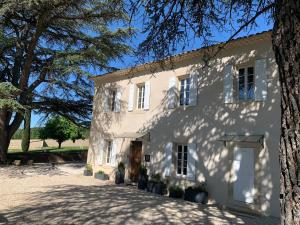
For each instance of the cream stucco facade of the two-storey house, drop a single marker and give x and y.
(203, 125)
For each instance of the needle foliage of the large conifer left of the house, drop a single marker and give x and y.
(49, 47)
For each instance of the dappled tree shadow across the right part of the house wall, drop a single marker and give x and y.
(207, 122)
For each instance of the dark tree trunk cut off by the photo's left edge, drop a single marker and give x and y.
(4, 136)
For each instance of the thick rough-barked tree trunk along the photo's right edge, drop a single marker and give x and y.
(286, 45)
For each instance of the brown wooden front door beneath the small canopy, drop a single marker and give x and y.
(135, 159)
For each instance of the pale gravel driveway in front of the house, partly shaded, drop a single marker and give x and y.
(43, 194)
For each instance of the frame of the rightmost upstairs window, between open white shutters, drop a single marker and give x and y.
(246, 84)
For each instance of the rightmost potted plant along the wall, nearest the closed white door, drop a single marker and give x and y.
(197, 193)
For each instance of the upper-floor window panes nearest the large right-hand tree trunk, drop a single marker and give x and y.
(246, 83)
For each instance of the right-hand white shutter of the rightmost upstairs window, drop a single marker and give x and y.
(261, 86)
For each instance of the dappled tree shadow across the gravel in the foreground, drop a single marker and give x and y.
(110, 204)
